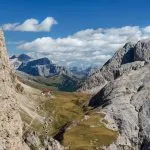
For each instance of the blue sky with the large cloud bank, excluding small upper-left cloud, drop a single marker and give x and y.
(98, 19)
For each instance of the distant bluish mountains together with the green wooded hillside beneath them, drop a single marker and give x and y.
(43, 71)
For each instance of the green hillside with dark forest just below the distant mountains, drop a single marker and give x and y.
(58, 82)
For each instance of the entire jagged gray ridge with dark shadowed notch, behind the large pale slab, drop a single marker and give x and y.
(128, 54)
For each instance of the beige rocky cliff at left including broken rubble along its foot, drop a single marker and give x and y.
(13, 98)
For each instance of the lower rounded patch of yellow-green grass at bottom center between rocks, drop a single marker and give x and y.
(89, 134)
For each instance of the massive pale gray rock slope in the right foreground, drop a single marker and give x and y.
(126, 103)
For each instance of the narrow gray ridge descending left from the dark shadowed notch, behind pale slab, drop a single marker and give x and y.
(101, 76)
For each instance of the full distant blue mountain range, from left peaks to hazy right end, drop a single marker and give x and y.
(45, 68)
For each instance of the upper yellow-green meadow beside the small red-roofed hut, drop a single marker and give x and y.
(63, 108)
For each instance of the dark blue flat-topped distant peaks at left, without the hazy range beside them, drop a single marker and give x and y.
(36, 67)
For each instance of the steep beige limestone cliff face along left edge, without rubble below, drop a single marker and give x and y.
(10, 121)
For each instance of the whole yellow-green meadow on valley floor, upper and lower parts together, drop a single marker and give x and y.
(67, 107)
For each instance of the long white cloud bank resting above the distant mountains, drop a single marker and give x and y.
(86, 47)
